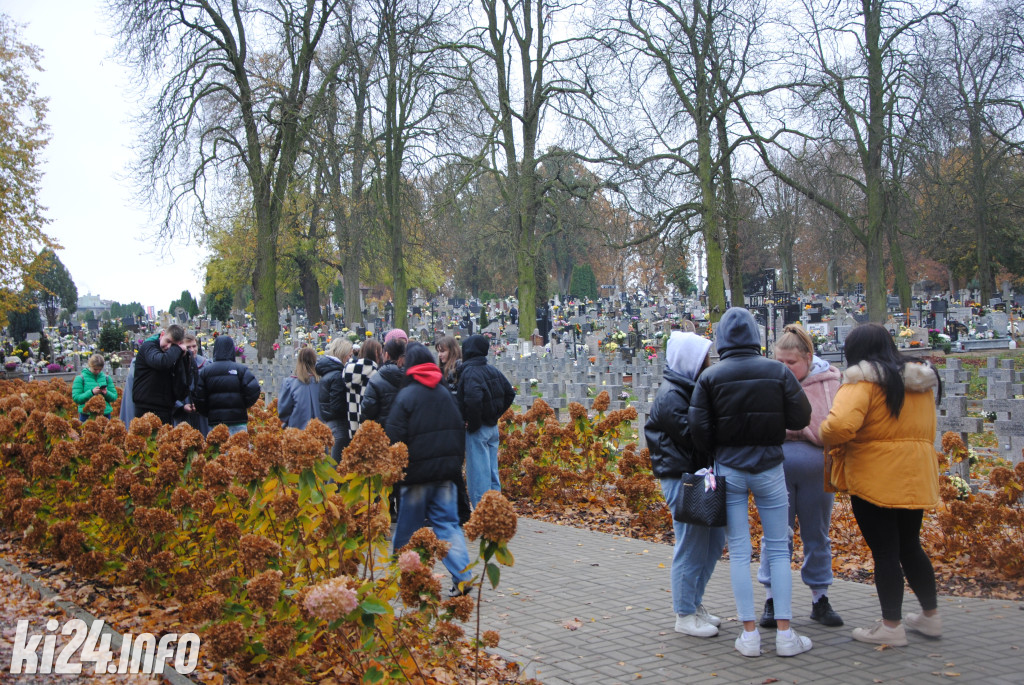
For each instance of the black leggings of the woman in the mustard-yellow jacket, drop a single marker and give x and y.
(894, 537)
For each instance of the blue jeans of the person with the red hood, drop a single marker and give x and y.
(439, 505)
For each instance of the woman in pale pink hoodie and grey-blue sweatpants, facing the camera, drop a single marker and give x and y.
(804, 467)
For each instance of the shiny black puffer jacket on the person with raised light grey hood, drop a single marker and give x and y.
(668, 432)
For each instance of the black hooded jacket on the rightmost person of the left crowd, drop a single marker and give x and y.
(485, 394)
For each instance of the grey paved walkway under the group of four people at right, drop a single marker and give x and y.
(619, 590)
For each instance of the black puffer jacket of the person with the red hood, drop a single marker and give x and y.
(428, 420)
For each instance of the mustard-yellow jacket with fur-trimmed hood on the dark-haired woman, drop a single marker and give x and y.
(889, 462)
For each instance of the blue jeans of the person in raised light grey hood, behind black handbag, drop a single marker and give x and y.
(698, 550)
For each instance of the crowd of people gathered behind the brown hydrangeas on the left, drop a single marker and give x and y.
(446, 411)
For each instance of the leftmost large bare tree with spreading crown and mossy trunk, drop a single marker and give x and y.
(230, 104)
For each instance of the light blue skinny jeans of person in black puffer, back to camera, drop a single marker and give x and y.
(773, 501)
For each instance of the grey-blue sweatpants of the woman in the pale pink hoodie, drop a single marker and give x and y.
(804, 469)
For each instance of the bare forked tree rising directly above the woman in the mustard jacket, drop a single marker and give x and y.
(858, 60)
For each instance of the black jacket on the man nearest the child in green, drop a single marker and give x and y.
(161, 379)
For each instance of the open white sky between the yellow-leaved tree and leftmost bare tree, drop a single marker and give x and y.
(106, 234)
